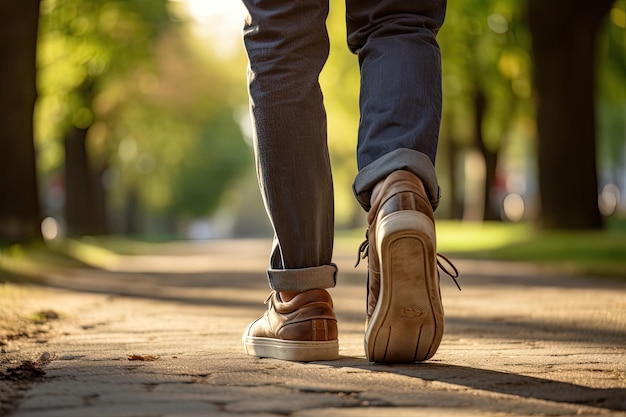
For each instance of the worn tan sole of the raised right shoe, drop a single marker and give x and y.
(407, 324)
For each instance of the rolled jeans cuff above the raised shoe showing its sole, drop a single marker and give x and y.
(401, 159)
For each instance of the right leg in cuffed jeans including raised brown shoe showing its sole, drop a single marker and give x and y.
(400, 116)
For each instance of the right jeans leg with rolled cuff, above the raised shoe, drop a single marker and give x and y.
(400, 99)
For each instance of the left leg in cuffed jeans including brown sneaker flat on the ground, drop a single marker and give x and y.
(287, 46)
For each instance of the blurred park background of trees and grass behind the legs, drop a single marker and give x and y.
(141, 125)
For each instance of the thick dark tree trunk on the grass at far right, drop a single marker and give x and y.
(564, 52)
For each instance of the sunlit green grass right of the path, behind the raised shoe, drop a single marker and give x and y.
(597, 253)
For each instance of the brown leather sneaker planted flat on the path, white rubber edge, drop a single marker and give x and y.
(303, 329)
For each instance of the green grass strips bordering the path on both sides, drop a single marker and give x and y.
(597, 253)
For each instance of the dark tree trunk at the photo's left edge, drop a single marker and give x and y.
(20, 215)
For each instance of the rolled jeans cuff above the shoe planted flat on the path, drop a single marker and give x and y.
(303, 279)
